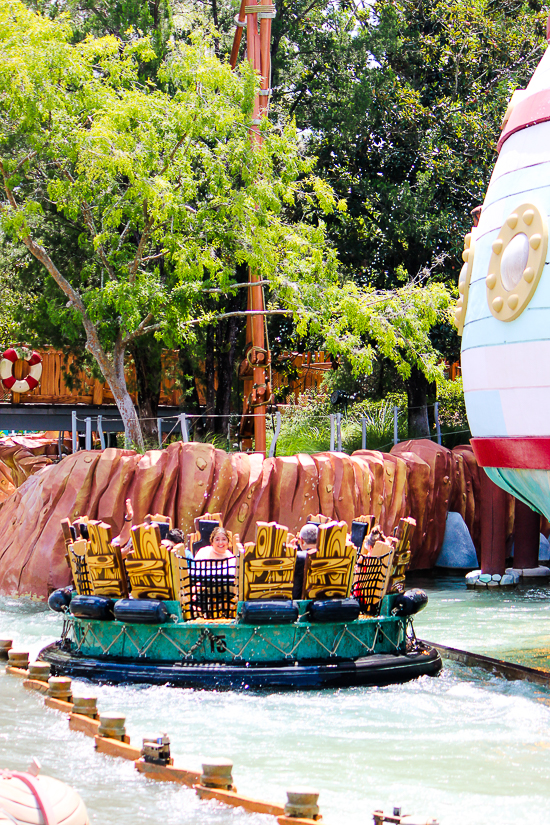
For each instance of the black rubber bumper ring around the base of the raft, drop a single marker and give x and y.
(377, 669)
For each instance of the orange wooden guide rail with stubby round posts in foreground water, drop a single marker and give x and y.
(214, 782)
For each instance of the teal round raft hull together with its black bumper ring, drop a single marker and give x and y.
(232, 654)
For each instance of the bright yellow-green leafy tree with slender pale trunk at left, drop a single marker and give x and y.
(163, 190)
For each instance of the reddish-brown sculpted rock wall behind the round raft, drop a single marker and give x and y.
(418, 479)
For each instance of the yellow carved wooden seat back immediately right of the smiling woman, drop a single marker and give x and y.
(266, 568)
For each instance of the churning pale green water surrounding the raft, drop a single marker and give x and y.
(465, 748)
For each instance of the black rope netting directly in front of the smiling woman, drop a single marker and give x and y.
(211, 589)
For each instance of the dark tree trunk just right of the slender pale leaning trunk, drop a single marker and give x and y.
(147, 355)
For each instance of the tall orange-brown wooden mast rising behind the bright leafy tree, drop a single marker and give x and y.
(256, 18)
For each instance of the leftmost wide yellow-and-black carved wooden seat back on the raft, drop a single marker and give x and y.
(105, 565)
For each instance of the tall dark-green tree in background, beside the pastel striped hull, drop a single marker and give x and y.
(402, 102)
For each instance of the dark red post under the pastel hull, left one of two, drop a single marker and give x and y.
(493, 527)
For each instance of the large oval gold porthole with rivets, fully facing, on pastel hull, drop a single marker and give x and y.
(519, 254)
